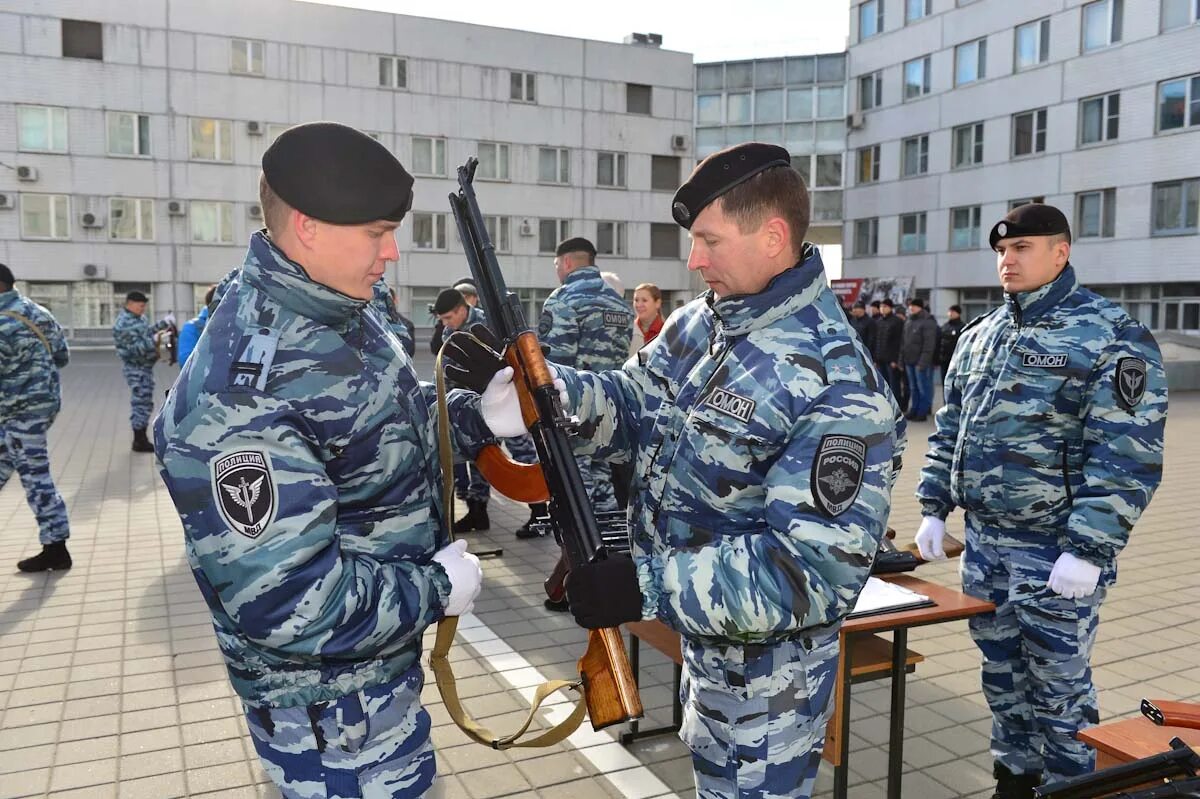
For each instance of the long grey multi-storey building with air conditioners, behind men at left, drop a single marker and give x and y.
(134, 133)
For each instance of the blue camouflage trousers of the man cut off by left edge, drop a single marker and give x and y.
(23, 450)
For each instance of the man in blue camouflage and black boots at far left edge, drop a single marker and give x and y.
(33, 350)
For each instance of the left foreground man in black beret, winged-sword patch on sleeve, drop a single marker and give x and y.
(302, 454)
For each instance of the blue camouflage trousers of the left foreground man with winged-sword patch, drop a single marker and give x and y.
(374, 744)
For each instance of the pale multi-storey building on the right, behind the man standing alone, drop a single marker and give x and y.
(967, 109)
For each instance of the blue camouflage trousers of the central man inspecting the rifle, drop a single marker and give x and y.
(754, 717)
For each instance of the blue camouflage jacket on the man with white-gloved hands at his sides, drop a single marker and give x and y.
(1053, 425)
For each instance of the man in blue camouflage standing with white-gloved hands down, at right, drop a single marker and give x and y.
(1052, 443)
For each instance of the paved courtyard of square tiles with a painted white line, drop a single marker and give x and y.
(112, 686)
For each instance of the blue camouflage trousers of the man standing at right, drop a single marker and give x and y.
(1037, 651)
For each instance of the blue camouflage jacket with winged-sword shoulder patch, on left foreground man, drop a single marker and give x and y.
(301, 452)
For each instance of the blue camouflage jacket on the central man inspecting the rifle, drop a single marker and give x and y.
(766, 447)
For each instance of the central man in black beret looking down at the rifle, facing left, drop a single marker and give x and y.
(765, 449)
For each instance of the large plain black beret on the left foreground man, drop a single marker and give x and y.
(338, 175)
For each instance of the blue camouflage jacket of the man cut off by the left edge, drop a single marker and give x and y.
(29, 374)
